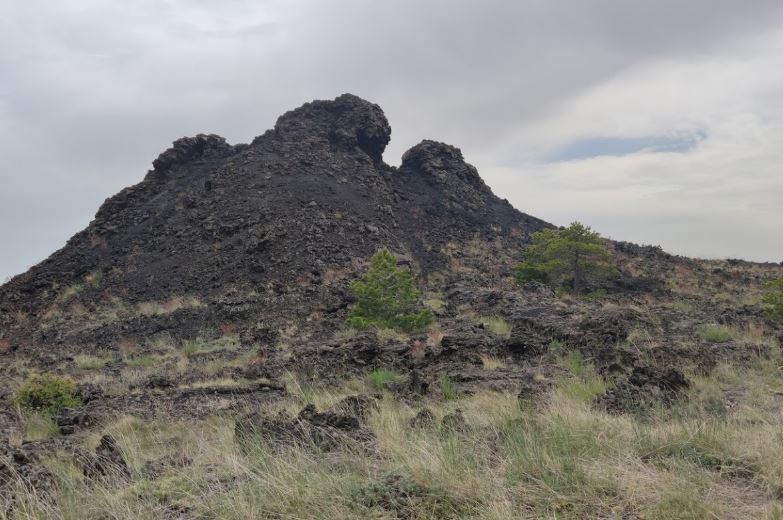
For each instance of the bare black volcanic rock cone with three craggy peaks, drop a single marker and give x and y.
(302, 200)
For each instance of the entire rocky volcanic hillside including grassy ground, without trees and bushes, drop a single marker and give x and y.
(202, 314)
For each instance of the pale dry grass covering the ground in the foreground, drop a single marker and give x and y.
(558, 458)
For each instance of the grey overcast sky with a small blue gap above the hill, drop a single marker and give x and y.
(656, 122)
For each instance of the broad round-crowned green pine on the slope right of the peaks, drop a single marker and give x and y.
(575, 253)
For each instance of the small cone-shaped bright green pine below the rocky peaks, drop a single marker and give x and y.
(387, 297)
